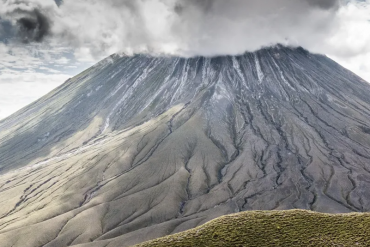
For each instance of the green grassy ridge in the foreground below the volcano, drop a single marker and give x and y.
(275, 228)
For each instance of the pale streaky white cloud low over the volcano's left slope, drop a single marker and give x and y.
(27, 72)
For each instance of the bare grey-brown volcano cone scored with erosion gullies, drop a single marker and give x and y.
(140, 147)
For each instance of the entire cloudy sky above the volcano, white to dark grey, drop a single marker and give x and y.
(45, 42)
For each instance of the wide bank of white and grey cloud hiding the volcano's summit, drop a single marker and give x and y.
(179, 27)
